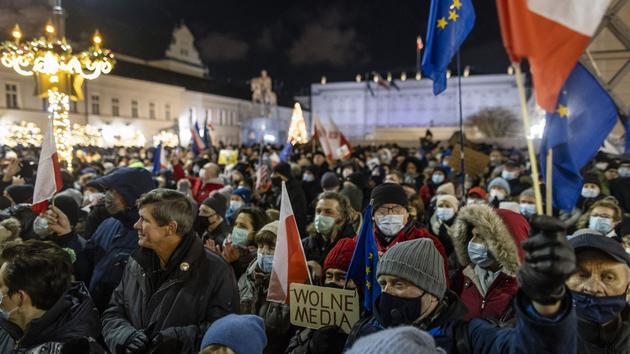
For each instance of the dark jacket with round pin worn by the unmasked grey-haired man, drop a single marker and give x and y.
(180, 301)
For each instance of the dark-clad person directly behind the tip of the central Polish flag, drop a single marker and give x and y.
(282, 172)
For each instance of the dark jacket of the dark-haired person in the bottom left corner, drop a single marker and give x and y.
(71, 325)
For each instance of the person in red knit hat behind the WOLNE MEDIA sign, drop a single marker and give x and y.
(327, 339)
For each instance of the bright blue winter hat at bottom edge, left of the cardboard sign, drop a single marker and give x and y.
(243, 334)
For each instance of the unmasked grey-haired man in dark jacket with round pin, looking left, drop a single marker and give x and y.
(172, 288)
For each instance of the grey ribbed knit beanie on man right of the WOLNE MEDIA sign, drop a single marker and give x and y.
(418, 262)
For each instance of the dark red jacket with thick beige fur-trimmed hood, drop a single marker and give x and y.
(502, 231)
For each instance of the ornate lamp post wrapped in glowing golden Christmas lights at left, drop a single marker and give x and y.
(59, 72)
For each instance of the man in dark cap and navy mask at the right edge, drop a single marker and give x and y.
(599, 289)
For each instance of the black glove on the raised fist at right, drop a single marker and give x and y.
(549, 261)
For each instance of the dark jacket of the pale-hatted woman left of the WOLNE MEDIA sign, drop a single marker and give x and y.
(253, 286)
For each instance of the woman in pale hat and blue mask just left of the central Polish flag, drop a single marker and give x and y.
(253, 286)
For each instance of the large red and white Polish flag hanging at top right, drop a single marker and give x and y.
(552, 34)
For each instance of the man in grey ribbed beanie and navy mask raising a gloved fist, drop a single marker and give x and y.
(414, 293)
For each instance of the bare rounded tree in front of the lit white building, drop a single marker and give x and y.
(494, 122)
